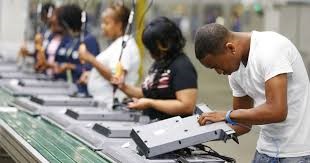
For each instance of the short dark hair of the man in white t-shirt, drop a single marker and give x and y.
(210, 39)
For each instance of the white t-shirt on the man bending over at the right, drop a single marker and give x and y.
(272, 54)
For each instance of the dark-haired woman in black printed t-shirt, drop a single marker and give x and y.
(171, 85)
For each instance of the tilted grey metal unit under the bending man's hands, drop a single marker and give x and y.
(177, 133)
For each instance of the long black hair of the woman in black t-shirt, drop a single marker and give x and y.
(164, 40)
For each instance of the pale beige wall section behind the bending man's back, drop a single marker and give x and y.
(291, 20)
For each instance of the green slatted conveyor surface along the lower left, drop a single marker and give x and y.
(50, 141)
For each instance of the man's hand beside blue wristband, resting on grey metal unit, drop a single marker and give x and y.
(211, 117)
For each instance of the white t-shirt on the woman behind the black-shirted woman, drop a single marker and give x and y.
(98, 86)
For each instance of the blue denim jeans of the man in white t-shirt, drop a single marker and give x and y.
(262, 158)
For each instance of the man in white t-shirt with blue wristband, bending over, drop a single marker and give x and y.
(270, 88)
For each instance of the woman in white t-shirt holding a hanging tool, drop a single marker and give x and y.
(114, 22)
